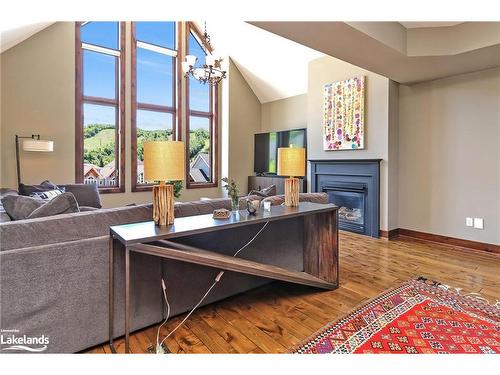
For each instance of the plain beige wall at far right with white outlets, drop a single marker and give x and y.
(449, 155)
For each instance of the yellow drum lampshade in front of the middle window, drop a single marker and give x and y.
(164, 161)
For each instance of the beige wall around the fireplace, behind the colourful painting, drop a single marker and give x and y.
(307, 110)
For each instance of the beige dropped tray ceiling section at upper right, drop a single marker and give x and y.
(416, 54)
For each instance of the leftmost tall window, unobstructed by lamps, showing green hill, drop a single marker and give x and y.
(100, 106)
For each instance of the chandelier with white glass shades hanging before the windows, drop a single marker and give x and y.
(211, 71)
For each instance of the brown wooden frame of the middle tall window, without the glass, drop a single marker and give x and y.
(135, 106)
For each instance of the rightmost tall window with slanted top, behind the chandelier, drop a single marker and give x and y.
(201, 120)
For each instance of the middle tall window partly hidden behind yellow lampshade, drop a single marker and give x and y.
(154, 89)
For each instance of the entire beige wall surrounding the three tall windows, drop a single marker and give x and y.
(38, 96)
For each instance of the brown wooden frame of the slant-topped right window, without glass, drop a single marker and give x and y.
(213, 116)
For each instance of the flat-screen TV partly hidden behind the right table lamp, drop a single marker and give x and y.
(266, 148)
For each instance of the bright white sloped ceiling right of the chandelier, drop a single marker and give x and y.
(274, 67)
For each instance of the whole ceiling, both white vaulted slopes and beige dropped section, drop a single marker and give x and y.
(273, 57)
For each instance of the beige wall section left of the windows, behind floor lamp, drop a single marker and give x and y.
(38, 97)
